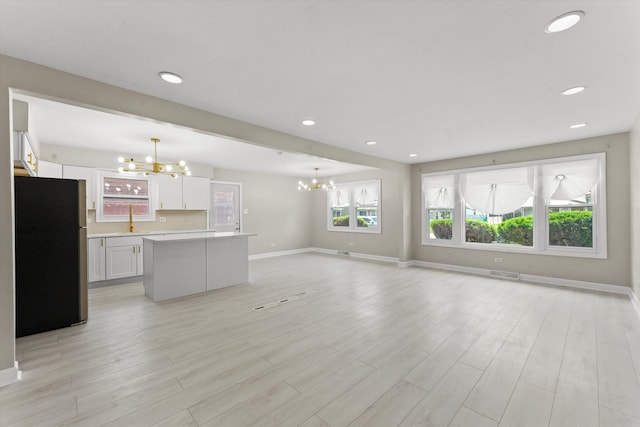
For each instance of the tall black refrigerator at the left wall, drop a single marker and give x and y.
(50, 254)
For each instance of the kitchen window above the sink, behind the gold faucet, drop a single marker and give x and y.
(122, 195)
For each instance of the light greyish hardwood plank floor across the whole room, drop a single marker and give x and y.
(358, 344)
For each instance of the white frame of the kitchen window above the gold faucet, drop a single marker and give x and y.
(100, 217)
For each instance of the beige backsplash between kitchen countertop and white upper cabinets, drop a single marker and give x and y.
(175, 221)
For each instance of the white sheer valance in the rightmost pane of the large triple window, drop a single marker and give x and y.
(569, 180)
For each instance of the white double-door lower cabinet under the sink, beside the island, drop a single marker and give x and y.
(123, 257)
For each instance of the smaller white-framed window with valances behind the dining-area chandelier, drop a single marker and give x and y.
(359, 200)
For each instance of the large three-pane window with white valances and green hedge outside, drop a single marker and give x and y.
(554, 206)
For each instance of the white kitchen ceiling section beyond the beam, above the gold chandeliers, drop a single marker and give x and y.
(59, 124)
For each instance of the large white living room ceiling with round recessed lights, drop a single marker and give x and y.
(441, 79)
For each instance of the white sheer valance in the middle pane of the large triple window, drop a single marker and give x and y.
(498, 191)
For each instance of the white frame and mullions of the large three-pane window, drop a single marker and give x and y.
(541, 244)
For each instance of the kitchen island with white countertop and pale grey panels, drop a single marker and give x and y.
(183, 264)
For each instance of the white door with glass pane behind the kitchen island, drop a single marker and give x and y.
(225, 207)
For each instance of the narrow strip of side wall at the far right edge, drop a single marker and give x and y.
(634, 160)
